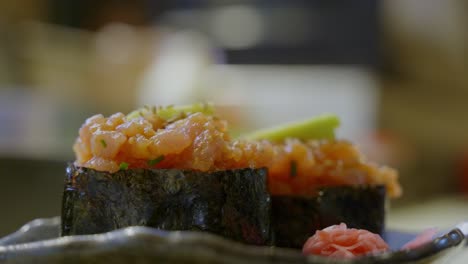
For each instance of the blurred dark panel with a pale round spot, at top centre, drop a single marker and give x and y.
(287, 32)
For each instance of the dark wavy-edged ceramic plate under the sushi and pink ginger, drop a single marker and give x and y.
(39, 242)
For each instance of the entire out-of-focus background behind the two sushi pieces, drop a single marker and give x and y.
(395, 71)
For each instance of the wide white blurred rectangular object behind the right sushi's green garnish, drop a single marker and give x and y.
(275, 94)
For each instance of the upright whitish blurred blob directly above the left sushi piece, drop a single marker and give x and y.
(176, 70)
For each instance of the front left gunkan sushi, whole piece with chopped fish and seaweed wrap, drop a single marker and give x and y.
(164, 168)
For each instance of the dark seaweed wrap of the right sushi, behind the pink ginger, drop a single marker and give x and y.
(296, 218)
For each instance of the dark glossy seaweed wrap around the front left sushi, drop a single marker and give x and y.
(232, 203)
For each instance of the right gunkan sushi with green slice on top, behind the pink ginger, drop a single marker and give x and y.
(317, 181)
